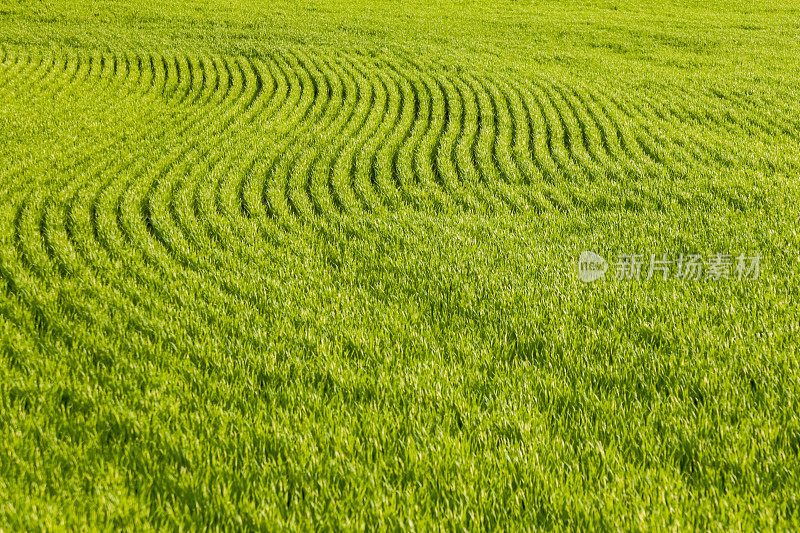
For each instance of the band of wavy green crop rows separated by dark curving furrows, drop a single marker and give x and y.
(185, 162)
